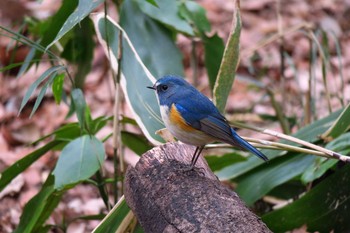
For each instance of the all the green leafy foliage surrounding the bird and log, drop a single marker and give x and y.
(141, 46)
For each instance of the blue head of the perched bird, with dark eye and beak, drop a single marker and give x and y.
(171, 88)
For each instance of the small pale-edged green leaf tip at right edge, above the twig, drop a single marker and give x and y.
(341, 125)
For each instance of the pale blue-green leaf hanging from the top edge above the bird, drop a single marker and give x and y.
(167, 13)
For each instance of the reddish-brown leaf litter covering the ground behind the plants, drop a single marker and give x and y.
(260, 62)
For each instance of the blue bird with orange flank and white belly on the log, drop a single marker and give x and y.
(193, 118)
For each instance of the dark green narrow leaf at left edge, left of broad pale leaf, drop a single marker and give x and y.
(19, 166)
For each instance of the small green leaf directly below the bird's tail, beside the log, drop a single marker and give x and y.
(218, 162)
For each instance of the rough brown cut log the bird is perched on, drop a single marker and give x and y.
(166, 196)
